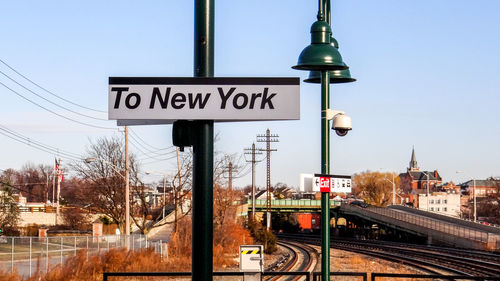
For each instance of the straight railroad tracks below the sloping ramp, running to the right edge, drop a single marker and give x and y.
(433, 260)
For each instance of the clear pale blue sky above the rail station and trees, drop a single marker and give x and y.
(427, 77)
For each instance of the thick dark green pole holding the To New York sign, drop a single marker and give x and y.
(203, 149)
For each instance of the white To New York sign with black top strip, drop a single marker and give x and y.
(146, 100)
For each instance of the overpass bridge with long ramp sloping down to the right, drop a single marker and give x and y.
(435, 228)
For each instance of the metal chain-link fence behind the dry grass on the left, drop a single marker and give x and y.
(26, 254)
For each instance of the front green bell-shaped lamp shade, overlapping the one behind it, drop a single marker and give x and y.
(320, 54)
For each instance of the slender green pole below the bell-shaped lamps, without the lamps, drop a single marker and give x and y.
(325, 169)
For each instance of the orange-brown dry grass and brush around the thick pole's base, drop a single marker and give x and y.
(227, 239)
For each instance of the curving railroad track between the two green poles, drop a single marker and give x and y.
(302, 258)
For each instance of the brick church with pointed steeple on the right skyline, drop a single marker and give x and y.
(415, 182)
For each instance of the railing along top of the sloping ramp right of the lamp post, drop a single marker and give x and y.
(430, 223)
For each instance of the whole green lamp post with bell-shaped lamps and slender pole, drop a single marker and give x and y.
(322, 56)
